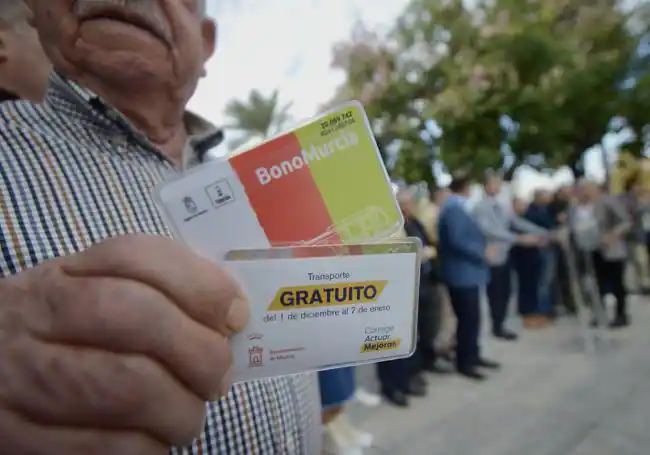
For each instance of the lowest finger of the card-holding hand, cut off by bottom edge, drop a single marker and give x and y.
(20, 436)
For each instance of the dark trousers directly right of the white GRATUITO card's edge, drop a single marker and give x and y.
(428, 327)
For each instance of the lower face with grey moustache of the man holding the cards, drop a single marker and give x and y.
(143, 43)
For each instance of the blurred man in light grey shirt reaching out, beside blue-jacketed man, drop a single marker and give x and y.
(497, 222)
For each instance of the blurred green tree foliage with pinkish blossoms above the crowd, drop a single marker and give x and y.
(558, 70)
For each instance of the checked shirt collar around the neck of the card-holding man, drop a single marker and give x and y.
(65, 93)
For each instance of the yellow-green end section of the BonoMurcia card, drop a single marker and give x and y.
(347, 168)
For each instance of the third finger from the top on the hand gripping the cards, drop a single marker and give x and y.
(86, 388)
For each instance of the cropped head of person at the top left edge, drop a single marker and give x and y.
(24, 68)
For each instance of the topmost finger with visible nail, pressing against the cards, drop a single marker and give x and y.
(206, 292)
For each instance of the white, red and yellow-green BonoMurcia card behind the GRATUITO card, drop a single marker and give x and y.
(322, 183)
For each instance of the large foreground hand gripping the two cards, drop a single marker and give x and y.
(115, 350)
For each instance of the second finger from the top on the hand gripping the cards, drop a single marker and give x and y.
(124, 316)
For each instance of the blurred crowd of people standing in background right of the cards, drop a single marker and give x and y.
(560, 253)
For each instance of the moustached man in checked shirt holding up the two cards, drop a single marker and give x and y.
(114, 339)
